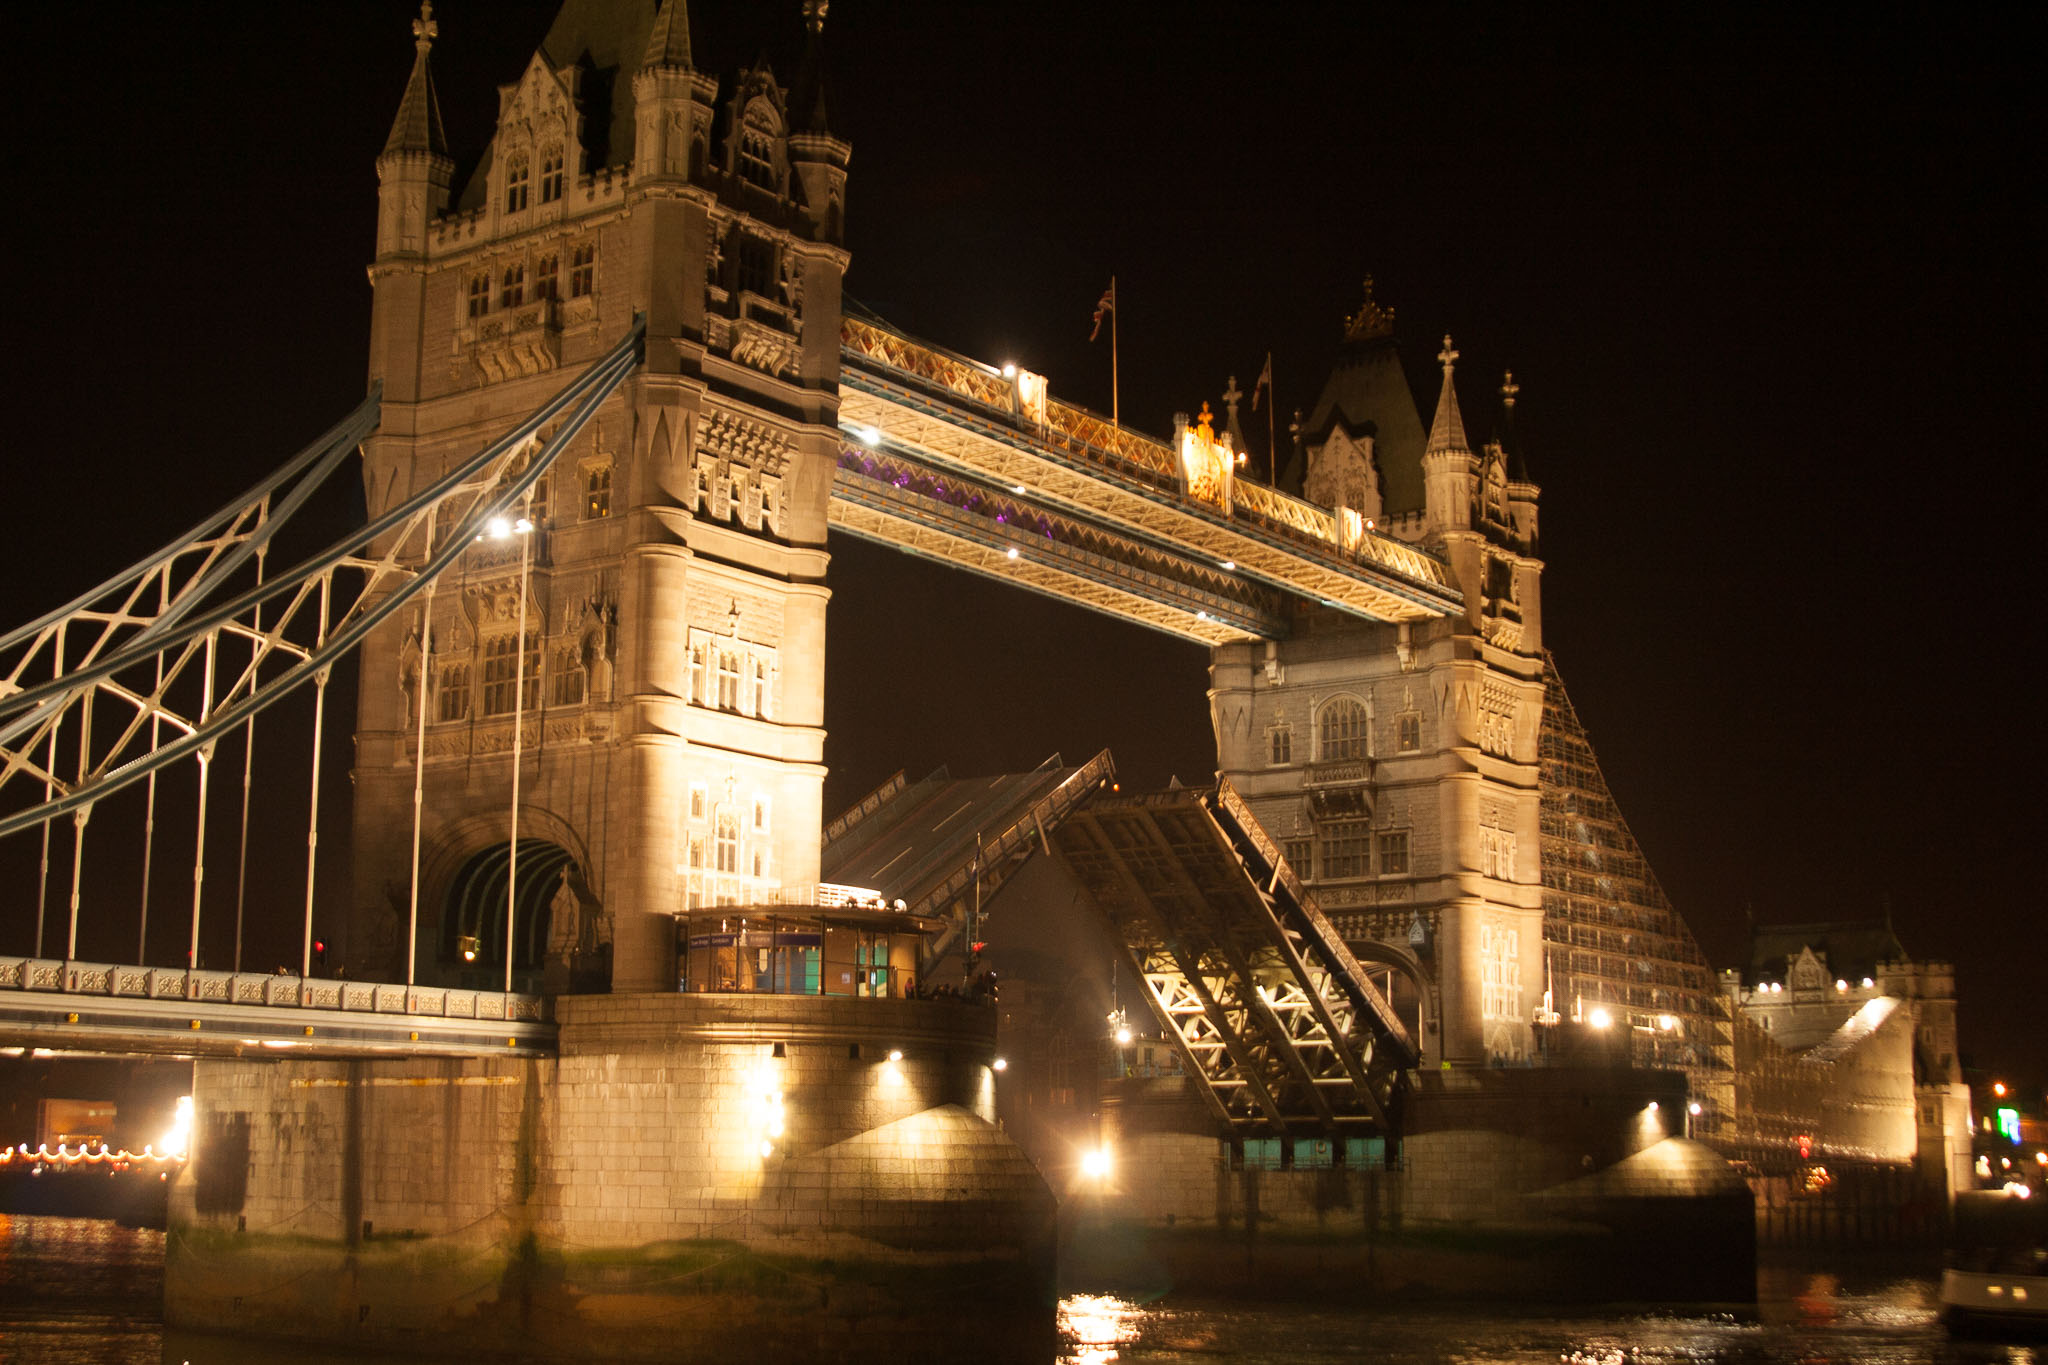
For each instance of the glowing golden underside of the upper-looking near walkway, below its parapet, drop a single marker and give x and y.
(970, 443)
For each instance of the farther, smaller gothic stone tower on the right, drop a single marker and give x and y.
(1398, 762)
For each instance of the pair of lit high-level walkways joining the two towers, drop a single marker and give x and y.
(978, 468)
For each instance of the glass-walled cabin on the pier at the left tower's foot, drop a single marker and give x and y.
(859, 949)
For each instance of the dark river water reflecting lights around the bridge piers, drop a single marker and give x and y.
(83, 1292)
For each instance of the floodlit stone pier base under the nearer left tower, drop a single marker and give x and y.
(693, 1178)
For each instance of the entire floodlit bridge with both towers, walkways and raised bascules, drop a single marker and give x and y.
(636, 1051)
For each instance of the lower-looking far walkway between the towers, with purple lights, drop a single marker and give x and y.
(1076, 562)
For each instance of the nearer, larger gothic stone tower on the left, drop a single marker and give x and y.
(675, 619)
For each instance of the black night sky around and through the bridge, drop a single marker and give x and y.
(1768, 281)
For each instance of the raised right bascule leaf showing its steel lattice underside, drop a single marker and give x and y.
(1261, 998)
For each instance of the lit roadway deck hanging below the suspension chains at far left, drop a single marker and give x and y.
(138, 1010)
